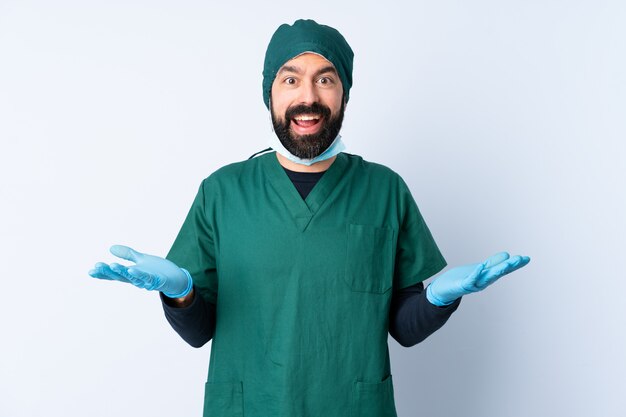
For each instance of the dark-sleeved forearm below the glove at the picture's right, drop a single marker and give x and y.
(412, 318)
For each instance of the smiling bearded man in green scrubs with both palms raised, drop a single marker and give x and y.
(299, 262)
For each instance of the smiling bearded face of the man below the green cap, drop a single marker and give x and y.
(307, 105)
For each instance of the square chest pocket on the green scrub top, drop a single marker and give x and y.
(369, 258)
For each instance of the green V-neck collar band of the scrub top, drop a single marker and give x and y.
(301, 210)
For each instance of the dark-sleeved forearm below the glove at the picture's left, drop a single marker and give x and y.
(192, 317)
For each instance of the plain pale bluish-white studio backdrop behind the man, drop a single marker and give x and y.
(506, 119)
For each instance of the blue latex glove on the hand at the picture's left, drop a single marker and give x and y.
(149, 272)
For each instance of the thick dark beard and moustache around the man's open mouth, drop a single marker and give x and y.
(308, 146)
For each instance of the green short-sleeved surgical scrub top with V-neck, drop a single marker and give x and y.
(302, 288)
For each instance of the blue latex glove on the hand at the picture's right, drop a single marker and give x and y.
(466, 279)
